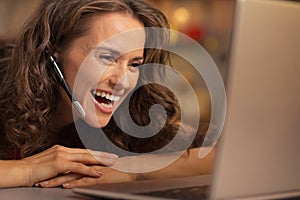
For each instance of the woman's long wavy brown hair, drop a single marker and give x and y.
(29, 93)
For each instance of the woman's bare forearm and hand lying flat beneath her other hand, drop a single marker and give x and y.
(186, 165)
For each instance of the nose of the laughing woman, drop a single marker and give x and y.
(119, 78)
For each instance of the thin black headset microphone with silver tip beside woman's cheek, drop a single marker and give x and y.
(65, 86)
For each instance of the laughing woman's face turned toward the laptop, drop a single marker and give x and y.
(101, 68)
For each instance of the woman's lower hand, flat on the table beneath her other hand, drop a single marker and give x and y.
(72, 180)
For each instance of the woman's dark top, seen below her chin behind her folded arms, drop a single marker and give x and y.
(81, 135)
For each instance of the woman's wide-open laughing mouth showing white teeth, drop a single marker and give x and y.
(105, 99)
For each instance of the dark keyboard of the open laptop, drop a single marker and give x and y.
(190, 193)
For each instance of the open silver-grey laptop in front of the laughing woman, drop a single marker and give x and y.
(258, 152)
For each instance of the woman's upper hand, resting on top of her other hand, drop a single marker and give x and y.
(61, 160)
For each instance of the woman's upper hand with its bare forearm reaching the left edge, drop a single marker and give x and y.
(55, 161)
